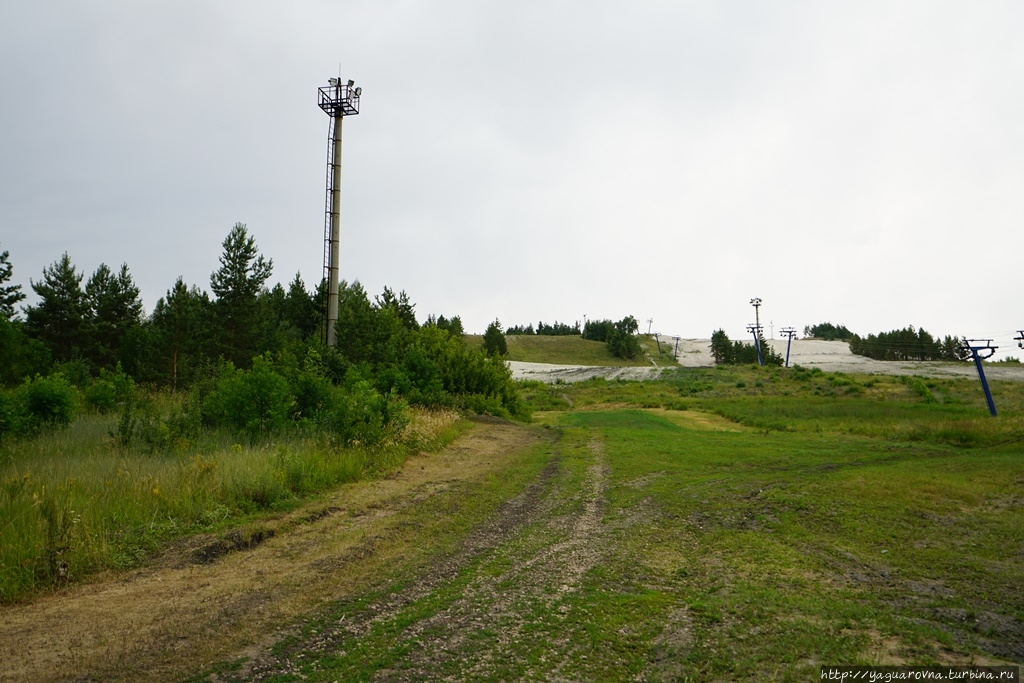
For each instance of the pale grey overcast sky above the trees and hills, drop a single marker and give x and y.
(856, 162)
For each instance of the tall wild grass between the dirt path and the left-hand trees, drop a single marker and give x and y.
(75, 501)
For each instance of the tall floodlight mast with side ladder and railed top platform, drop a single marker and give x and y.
(338, 101)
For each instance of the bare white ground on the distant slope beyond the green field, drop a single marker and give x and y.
(829, 356)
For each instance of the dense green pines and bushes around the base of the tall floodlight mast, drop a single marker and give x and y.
(241, 333)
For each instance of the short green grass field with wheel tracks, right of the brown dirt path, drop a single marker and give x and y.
(735, 524)
